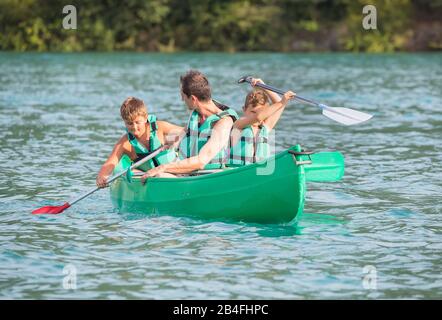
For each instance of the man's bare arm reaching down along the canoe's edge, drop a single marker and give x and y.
(218, 140)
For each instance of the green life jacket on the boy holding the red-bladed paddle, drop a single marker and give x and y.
(163, 157)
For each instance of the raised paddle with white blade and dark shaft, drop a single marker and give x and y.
(342, 115)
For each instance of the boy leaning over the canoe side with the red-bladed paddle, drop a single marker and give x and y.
(144, 133)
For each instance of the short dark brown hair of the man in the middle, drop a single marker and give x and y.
(195, 83)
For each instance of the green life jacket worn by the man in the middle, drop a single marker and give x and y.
(197, 136)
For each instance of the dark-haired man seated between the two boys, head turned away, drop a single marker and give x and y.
(205, 141)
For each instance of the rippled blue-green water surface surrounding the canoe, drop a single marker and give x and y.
(375, 234)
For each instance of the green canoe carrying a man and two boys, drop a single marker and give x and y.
(271, 191)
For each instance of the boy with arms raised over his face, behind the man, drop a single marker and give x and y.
(250, 133)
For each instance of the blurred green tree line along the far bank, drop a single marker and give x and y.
(221, 25)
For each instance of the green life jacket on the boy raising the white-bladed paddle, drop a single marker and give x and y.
(249, 149)
